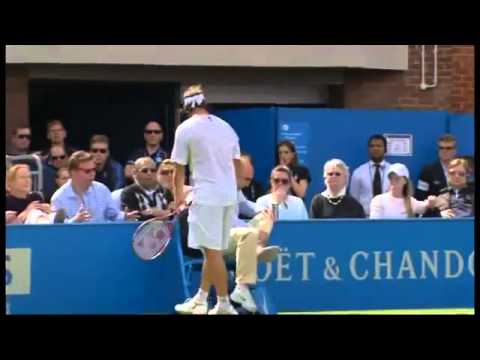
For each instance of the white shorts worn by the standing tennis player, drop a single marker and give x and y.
(209, 226)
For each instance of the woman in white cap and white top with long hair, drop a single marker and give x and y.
(398, 202)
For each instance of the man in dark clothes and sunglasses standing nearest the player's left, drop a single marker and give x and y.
(153, 135)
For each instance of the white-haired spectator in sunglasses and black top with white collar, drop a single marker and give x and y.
(334, 202)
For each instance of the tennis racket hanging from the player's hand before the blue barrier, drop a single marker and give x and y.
(151, 238)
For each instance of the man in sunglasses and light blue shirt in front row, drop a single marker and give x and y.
(84, 199)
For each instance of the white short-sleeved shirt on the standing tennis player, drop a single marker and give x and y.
(209, 145)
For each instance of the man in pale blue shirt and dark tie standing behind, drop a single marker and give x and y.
(370, 179)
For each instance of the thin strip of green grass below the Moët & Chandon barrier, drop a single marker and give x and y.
(391, 312)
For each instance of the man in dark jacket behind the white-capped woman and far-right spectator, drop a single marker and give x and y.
(433, 177)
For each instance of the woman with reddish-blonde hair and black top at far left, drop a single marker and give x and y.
(23, 205)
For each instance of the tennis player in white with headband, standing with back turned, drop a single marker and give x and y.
(210, 147)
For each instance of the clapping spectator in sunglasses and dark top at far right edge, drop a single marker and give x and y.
(458, 199)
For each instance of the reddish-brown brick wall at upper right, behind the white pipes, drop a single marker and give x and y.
(378, 89)
